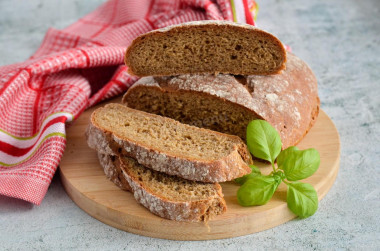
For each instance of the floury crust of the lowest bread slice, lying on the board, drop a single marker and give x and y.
(193, 211)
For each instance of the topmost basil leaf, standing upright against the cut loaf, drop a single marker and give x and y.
(263, 140)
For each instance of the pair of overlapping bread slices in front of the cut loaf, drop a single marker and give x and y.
(171, 168)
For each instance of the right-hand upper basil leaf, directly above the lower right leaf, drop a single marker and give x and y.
(299, 165)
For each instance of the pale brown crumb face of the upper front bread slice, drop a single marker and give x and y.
(163, 134)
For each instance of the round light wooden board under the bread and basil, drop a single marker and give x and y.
(87, 185)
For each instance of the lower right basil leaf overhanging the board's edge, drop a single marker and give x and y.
(302, 199)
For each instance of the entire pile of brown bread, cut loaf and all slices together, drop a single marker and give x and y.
(211, 74)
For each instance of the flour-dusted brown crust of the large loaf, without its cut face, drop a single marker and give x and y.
(288, 101)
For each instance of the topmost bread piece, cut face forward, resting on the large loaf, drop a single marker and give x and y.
(205, 47)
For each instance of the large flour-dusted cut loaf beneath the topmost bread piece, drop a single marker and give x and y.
(226, 103)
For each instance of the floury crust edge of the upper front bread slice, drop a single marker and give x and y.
(229, 167)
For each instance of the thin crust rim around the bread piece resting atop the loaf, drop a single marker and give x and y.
(213, 25)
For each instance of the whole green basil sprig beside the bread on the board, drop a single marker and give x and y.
(264, 142)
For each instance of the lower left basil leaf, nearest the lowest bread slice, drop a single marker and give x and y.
(257, 191)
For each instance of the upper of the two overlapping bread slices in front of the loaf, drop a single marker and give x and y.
(168, 146)
